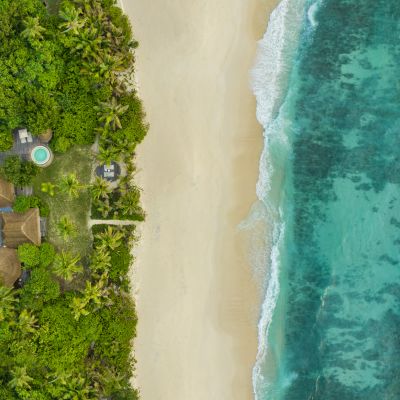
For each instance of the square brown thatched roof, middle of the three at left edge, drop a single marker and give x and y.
(21, 228)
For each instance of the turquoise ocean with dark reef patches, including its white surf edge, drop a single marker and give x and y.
(327, 82)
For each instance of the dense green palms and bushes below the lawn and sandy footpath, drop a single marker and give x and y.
(61, 332)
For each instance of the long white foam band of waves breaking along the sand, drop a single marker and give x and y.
(270, 77)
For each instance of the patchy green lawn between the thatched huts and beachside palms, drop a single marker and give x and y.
(79, 161)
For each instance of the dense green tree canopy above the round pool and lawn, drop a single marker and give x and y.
(62, 72)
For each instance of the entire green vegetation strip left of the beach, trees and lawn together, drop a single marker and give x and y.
(66, 334)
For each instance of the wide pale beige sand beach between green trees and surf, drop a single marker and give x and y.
(197, 302)
